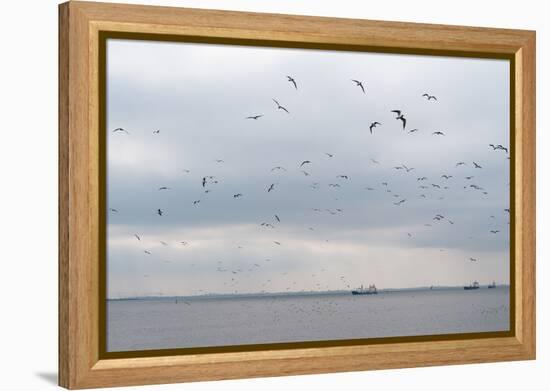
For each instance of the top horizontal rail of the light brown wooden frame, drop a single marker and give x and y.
(291, 28)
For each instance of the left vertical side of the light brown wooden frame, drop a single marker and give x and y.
(77, 262)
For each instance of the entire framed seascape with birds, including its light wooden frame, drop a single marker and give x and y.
(248, 195)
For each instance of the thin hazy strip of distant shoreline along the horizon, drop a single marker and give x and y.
(291, 294)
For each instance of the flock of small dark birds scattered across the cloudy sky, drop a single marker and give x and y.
(207, 182)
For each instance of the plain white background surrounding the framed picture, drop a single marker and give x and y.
(28, 215)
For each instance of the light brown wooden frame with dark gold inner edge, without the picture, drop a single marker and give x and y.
(81, 25)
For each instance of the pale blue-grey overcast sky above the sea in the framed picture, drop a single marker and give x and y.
(198, 97)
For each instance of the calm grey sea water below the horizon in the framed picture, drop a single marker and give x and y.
(200, 322)
